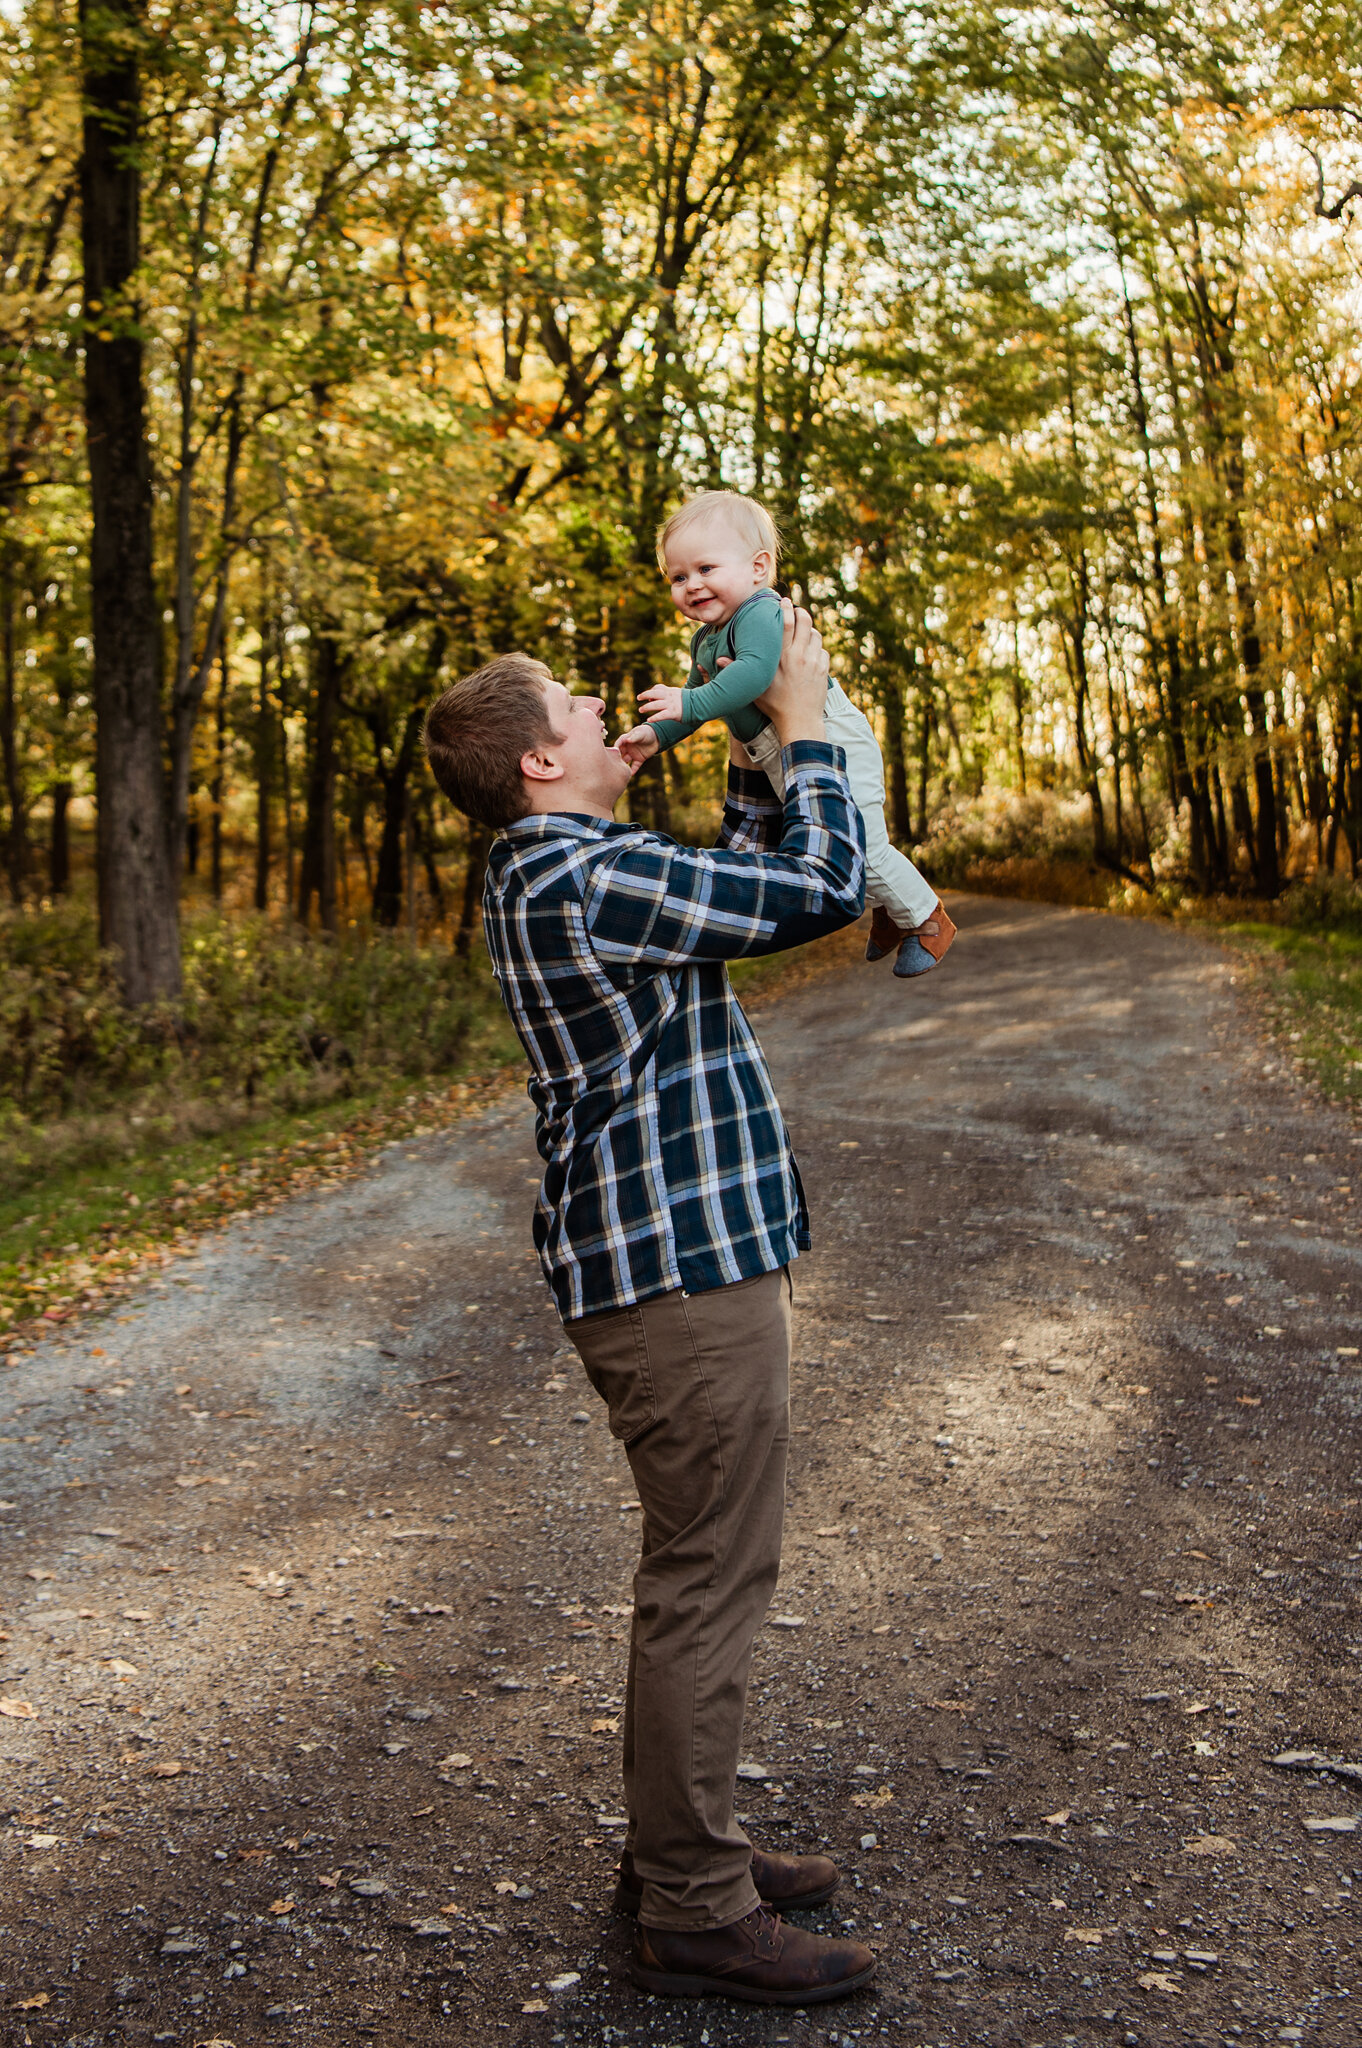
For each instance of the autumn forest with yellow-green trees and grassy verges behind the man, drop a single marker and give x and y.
(345, 347)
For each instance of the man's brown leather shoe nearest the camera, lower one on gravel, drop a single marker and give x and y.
(757, 1959)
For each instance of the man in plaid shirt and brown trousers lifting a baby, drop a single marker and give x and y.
(669, 1215)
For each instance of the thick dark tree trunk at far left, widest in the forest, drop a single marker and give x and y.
(136, 882)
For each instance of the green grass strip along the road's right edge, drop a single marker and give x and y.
(1312, 994)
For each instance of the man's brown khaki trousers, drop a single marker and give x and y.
(697, 1388)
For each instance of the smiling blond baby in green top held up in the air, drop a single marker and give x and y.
(720, 556)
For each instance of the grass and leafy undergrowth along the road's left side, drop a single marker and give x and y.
(288, 1062)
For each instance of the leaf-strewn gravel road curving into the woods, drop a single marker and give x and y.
(314, 1564)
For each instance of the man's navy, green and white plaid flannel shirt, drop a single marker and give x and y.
(667, 1158)
